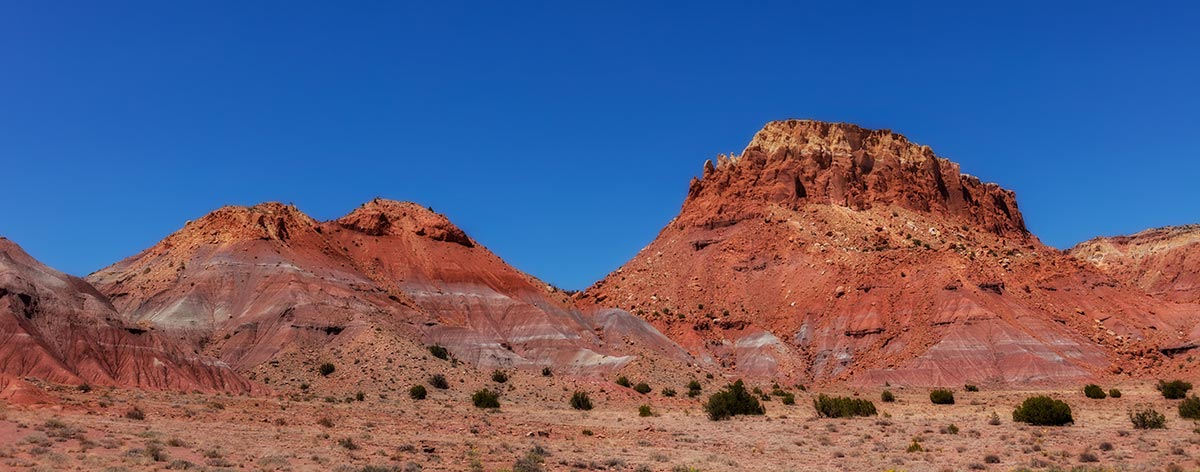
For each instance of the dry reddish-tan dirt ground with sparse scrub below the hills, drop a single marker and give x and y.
(537, 429)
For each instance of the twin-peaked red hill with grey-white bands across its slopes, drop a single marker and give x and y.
(275, 292)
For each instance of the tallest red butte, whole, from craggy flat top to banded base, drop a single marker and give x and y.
(831, 253)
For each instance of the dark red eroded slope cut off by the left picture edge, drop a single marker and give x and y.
(58, 328)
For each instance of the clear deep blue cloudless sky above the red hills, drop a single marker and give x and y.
(562, 135)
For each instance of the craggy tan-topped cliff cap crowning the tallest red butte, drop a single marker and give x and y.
(799, 163)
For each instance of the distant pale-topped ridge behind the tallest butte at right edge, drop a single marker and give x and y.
(1163, 262)
